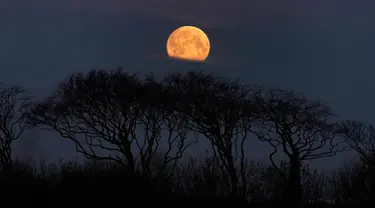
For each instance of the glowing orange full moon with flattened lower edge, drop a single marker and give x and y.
(188, 43)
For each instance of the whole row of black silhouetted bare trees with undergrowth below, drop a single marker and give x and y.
(135, 131)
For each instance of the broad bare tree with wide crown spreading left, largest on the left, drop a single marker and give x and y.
(103, 112)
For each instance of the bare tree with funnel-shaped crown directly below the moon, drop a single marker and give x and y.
(215, 108)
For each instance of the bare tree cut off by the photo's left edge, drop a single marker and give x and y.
(14, 103)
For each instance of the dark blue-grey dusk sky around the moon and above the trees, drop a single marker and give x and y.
(324, 48)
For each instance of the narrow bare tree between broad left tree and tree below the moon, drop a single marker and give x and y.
(160, 123)
